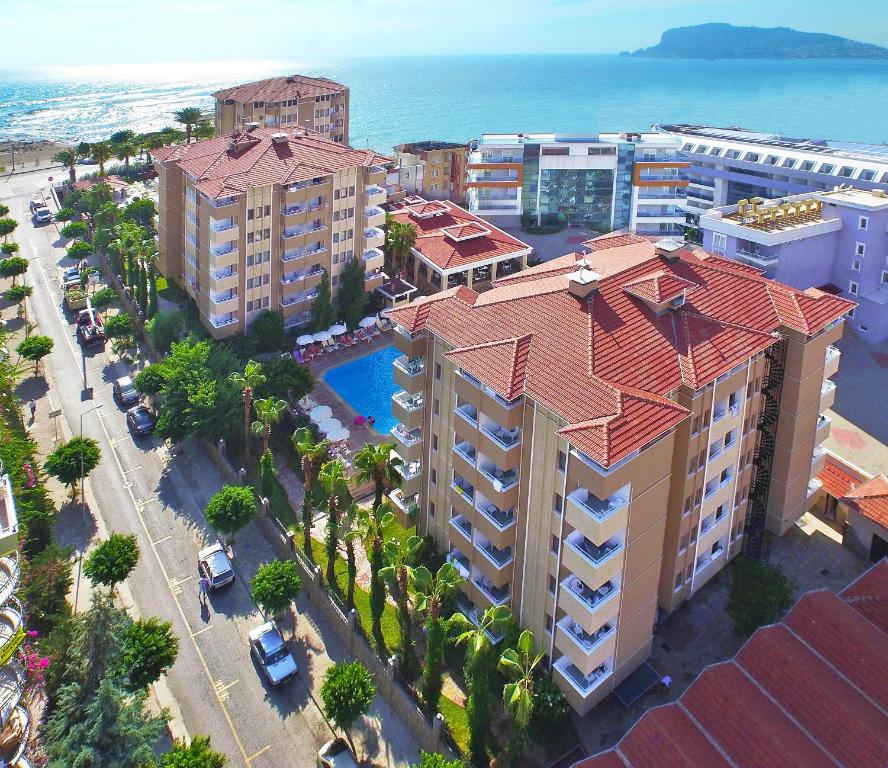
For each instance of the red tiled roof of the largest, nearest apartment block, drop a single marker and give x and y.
(607, 364)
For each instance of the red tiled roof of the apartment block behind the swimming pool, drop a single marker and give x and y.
(229, 165)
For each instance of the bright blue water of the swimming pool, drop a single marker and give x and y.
(367, 385)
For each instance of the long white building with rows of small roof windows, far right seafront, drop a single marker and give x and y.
(731, 164)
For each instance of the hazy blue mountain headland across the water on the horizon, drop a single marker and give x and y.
(725, 41)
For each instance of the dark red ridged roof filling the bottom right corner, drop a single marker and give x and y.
(796, 694)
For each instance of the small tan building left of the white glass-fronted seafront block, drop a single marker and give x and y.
(435, 170)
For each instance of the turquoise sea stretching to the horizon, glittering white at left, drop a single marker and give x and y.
(456, 98)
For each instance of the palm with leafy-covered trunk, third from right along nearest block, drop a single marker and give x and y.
(429, 592)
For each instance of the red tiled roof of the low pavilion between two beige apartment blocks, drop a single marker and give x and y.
(445, 252)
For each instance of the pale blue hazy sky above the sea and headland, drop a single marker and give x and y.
(67, 32)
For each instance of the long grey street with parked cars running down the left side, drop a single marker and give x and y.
(138, 488)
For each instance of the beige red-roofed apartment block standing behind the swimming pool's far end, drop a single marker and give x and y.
(254, 221)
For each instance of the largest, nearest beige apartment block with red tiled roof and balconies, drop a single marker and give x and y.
(592, 439)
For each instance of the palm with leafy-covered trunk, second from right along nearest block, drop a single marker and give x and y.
(478, 669)
